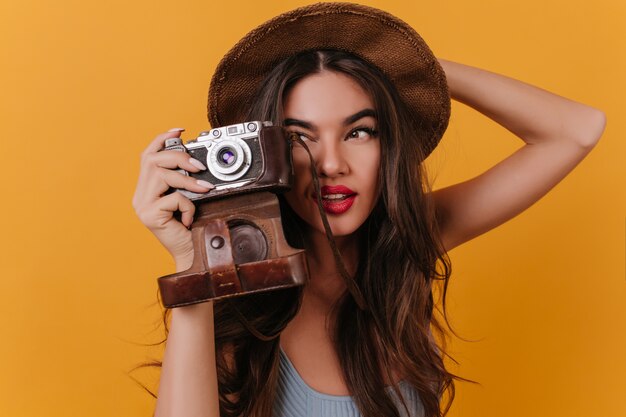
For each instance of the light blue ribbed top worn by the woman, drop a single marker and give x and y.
(294, 398)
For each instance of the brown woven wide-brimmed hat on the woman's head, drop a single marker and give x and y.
(373, 35)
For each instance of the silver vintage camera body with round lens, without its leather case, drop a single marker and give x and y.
(240, 158)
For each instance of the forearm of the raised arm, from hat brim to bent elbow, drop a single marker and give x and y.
(533, 114)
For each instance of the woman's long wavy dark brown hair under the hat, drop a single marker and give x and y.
(401, 258)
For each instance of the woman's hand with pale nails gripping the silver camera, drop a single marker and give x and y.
(156, 210)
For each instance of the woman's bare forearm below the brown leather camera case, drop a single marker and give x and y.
(188, 384)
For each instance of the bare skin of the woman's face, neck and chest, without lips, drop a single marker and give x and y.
(317, 108)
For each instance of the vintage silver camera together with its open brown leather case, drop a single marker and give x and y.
(239, 245)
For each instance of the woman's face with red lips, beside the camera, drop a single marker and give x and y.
(335, 117)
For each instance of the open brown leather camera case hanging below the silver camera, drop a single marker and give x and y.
(214, 274)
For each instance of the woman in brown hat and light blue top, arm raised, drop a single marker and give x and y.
(367, 135)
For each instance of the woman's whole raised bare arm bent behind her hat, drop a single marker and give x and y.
(558, 133)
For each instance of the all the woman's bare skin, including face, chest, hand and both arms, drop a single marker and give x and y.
(557, 134)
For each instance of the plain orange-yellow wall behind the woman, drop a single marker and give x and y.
(86, 84)
